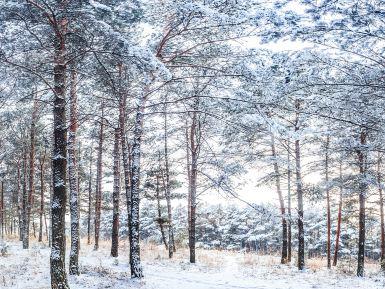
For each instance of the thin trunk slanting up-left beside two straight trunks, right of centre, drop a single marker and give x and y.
(281, 202)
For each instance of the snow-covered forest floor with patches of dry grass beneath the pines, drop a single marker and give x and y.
(29, 269)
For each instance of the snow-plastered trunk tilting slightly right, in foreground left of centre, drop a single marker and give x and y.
(136, 267)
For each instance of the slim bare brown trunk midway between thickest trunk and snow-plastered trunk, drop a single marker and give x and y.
(99, 176)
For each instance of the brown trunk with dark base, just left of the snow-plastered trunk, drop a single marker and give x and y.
(116, 196)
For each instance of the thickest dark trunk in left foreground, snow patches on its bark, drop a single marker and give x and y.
(59, 158)
